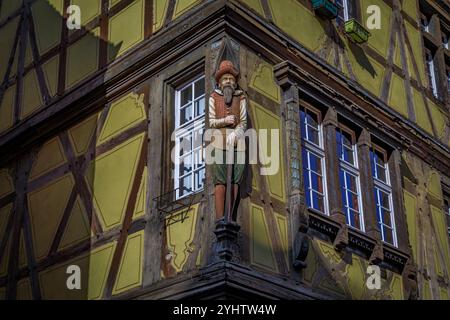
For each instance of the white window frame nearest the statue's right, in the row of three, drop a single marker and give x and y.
(318, 151)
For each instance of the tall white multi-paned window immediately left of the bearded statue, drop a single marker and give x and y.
(189, 173)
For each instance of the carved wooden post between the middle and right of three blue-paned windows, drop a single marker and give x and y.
(367, 187)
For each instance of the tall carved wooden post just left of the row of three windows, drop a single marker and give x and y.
(286, 78)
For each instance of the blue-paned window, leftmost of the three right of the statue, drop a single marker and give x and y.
(313, 158)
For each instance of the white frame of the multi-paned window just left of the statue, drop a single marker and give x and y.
(179, 131)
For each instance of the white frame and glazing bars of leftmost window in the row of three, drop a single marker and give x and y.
(318, 151)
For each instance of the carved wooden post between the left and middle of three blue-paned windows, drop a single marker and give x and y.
(330, 124)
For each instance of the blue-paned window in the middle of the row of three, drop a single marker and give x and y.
(349, 178)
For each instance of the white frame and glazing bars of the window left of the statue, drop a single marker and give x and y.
(197, 123)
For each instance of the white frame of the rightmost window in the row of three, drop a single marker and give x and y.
(386, 188)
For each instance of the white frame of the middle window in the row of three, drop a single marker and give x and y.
(353, 170)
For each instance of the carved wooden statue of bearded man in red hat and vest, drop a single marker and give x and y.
(228, 113)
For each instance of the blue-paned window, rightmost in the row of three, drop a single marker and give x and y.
(383, 195)
